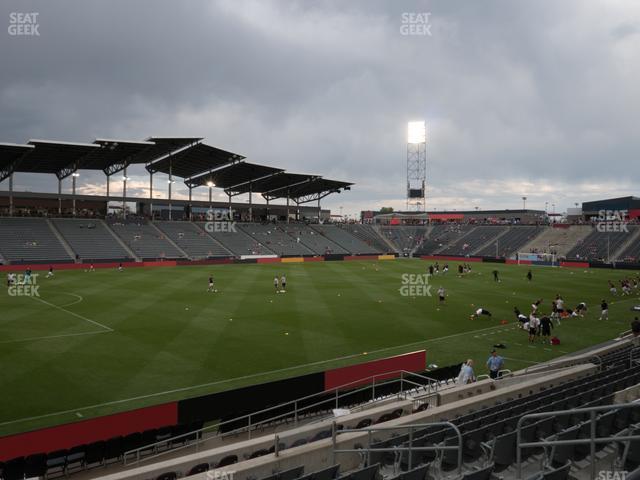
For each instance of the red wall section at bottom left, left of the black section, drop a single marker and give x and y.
(87, 431)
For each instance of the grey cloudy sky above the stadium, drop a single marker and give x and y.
(535, 98)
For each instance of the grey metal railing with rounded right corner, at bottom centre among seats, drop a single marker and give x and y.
(410, 448)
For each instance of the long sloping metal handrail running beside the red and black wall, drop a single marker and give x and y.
(431, 384)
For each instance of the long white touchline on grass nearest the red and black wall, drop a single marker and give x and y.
(244, 377)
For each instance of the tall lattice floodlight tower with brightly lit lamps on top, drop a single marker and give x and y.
(416, 165)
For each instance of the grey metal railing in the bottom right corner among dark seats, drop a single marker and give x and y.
(591, 441)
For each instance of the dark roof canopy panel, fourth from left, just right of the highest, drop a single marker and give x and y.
(192, 160)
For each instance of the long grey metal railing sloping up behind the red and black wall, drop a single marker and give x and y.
(296, 411)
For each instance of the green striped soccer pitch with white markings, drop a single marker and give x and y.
(106, 341)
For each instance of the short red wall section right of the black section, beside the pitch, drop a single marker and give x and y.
(411, 362)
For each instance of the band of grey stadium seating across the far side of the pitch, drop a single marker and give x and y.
(24, 240)
